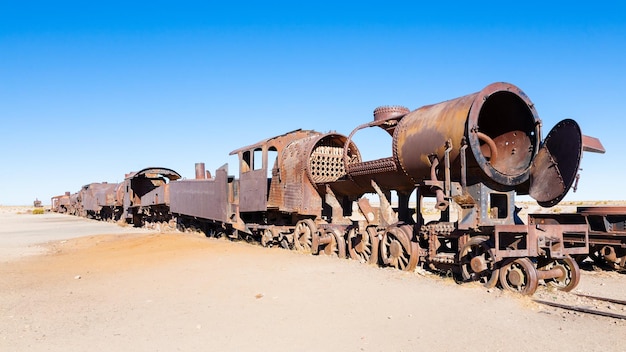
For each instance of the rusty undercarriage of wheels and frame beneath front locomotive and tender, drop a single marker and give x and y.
(515, 257)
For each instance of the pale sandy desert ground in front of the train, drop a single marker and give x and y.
(110, 288)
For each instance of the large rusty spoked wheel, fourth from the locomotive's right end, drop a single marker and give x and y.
(397, 250)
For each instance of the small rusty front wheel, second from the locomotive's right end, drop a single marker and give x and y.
(519, 275)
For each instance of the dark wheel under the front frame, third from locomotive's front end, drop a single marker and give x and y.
(478, 262)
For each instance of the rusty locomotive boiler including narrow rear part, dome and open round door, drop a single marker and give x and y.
(489, 138)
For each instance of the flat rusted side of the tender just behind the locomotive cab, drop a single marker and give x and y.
(202, 198)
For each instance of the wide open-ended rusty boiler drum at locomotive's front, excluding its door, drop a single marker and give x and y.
(499, 124)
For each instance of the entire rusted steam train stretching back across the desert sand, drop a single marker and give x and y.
(474, 153)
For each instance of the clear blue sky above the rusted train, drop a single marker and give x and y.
(91, 90)
